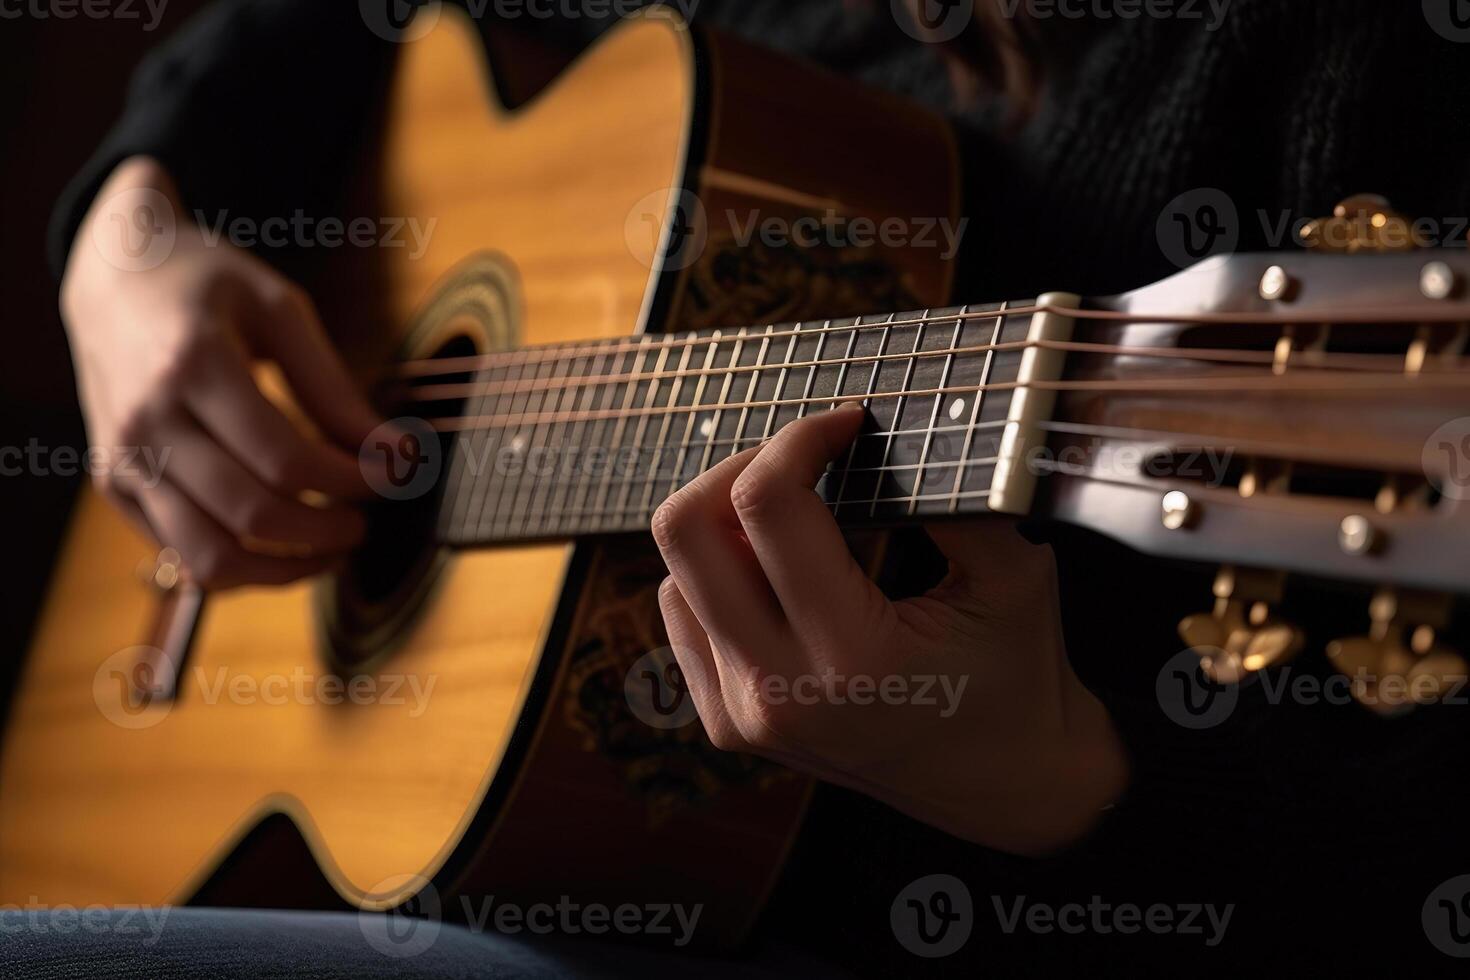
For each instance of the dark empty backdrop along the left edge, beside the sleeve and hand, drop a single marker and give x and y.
(65, 82)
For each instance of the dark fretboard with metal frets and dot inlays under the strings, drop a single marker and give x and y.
(590, 439)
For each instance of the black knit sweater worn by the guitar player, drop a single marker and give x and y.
(1327, 829)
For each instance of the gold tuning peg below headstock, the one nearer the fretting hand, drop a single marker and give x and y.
(1241, 637)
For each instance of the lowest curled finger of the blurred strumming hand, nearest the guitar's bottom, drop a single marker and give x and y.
(211, 556)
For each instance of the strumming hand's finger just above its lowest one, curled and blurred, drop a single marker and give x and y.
(239, 502)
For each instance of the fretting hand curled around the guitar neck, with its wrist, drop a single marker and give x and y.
(959, 707)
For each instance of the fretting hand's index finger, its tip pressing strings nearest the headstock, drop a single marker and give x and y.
(792, 531)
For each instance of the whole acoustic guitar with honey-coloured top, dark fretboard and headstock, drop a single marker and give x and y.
(478, 705)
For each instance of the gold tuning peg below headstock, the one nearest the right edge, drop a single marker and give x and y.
(1400, 663)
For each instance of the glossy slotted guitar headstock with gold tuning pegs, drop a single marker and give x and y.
(1280, 415)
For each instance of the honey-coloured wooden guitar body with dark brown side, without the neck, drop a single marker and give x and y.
(490, 747)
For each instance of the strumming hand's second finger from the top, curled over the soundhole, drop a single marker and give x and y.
(224, 397)
